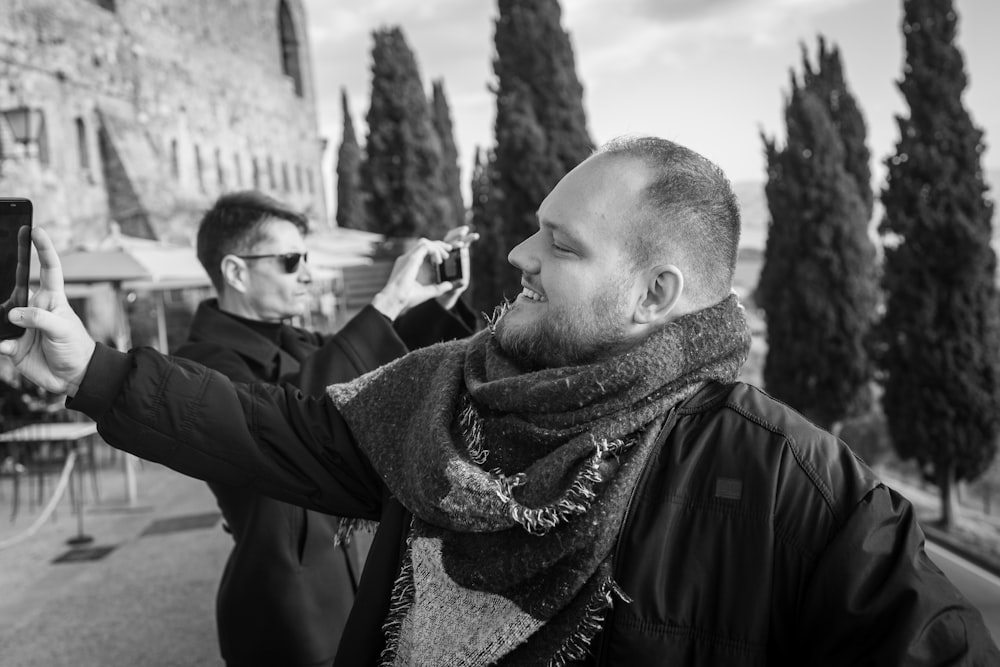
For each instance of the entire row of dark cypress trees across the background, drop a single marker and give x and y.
(901, 314)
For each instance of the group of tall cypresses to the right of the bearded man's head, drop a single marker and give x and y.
(911, 319)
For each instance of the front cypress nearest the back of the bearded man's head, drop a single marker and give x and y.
(818, 285)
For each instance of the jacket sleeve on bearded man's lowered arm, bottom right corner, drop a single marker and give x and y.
(876, 598)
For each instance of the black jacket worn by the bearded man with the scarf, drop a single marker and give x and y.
(753, 537)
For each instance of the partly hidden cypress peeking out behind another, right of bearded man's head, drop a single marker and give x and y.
(828, 83)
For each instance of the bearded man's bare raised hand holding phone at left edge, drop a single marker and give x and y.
(55, 349)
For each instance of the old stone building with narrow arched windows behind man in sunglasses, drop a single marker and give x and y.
(147, 110)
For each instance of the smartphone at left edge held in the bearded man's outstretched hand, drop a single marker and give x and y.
(15, 256)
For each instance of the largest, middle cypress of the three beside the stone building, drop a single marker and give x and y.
(401, 173)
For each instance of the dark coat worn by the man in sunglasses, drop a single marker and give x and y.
(286, 590)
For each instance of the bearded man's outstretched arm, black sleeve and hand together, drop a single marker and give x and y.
(187, 417)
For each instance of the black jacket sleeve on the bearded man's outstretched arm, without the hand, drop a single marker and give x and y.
(271, 438)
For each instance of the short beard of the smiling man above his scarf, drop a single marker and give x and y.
(563, 338)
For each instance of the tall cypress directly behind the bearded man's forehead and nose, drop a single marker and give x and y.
(541, 127)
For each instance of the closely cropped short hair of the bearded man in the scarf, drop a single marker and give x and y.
(691, 215)
